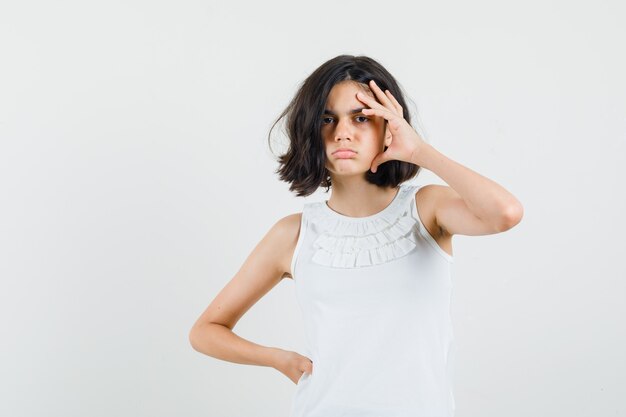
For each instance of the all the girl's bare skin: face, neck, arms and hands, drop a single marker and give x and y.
(471, 205)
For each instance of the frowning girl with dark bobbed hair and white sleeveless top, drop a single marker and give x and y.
(371, 265)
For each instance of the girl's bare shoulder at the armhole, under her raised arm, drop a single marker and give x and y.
(426, 200)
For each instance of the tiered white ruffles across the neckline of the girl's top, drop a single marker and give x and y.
(345, 242)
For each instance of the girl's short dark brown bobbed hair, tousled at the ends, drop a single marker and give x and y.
(303, 165)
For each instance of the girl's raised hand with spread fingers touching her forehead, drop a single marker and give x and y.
(405, 141)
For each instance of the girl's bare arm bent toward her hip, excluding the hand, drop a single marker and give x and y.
(263, 269)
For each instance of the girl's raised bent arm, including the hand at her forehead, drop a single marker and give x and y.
(472, 204)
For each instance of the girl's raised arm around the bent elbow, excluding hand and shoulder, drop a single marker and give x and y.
(473, 204)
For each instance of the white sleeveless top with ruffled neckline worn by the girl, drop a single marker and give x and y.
(375, 295)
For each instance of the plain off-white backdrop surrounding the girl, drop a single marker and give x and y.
(136, 177)
